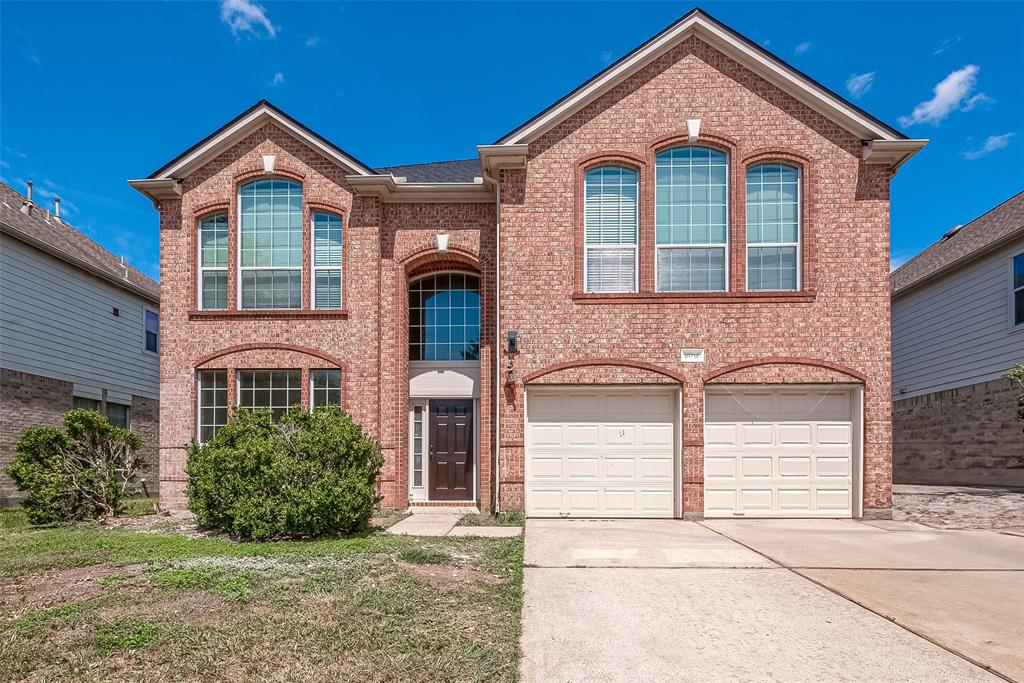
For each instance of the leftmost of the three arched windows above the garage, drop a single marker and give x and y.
(611, 230)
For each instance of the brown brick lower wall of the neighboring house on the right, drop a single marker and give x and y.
(965, 437)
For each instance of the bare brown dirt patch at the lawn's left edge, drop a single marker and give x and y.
(59, 587)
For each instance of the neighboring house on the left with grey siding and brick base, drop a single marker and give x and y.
(79, 328)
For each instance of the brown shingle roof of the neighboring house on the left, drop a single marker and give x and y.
(65, 242)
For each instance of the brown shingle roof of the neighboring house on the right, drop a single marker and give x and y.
(983, 234)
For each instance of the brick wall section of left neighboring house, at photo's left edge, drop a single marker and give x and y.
(27, 401)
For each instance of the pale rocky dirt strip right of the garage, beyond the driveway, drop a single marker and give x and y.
(962, 508)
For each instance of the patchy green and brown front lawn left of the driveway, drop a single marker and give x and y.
(88, 603)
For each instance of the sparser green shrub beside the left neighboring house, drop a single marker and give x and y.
(79, 473)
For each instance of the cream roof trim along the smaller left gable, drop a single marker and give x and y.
(261, 115)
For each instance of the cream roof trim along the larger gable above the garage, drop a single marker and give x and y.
(700, 24)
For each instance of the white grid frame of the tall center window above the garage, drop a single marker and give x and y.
(667, 160)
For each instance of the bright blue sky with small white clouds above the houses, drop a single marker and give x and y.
(97, 94)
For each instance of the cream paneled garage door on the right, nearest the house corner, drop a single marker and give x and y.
(779, 453)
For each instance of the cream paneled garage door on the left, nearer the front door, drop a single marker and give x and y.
(601, 452)
